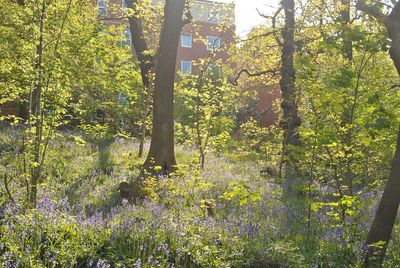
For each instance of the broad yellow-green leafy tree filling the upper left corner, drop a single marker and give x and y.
(61, 60)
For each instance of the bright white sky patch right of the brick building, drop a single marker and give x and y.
(246, 13)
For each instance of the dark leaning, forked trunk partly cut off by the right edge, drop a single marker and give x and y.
(382, 226)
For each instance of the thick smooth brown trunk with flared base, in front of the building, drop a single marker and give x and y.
(162, 152)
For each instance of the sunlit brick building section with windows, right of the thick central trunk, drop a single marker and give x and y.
(208, 37)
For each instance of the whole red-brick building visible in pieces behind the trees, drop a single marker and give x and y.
(204, 43)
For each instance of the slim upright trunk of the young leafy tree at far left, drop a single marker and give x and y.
(36, 112)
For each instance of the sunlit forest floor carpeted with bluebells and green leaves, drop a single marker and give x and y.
(226, 215)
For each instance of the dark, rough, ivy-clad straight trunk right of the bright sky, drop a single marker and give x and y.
(290, 119)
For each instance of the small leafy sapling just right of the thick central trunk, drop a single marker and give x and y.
(206, 104)
